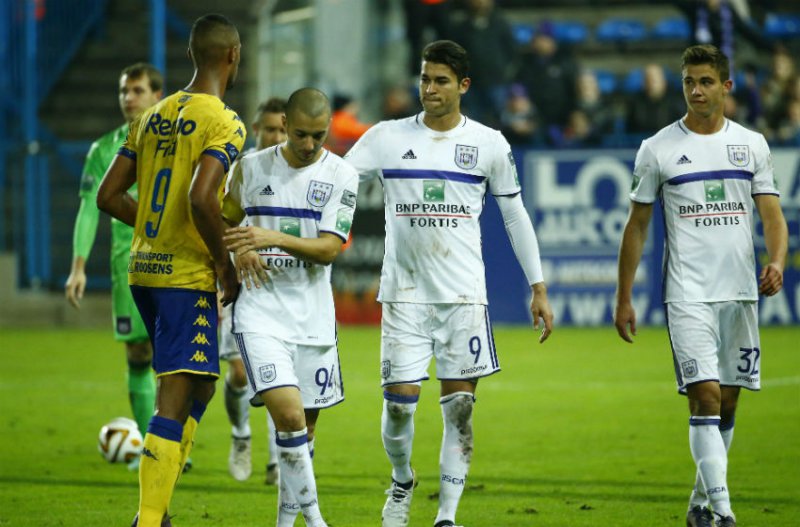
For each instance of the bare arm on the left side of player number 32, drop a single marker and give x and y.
(630, 253)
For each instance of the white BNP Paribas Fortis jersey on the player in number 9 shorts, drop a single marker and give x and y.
(434, 186)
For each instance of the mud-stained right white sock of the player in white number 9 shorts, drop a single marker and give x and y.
(456, 452)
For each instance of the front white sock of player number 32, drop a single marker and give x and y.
(708, 452)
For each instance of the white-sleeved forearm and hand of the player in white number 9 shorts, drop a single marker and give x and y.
(526, 248)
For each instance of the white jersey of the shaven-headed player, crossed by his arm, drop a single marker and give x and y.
(296, 303)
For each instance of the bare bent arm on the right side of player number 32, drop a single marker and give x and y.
(776, 236)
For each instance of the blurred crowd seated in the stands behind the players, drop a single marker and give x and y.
(528, 81)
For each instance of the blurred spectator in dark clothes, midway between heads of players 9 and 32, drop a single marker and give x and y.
(548, 73)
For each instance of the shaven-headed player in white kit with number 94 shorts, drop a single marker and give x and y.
(298, 200)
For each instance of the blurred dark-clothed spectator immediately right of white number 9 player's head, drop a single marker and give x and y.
(487, 37)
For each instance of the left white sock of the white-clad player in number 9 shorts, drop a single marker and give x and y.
(397, 431)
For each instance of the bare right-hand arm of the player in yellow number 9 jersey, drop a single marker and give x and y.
(207, 217)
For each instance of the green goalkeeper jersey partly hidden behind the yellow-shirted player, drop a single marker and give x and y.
(98, 159)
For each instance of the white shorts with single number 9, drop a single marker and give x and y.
(459, 336)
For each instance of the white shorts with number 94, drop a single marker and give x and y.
(274, 363)
